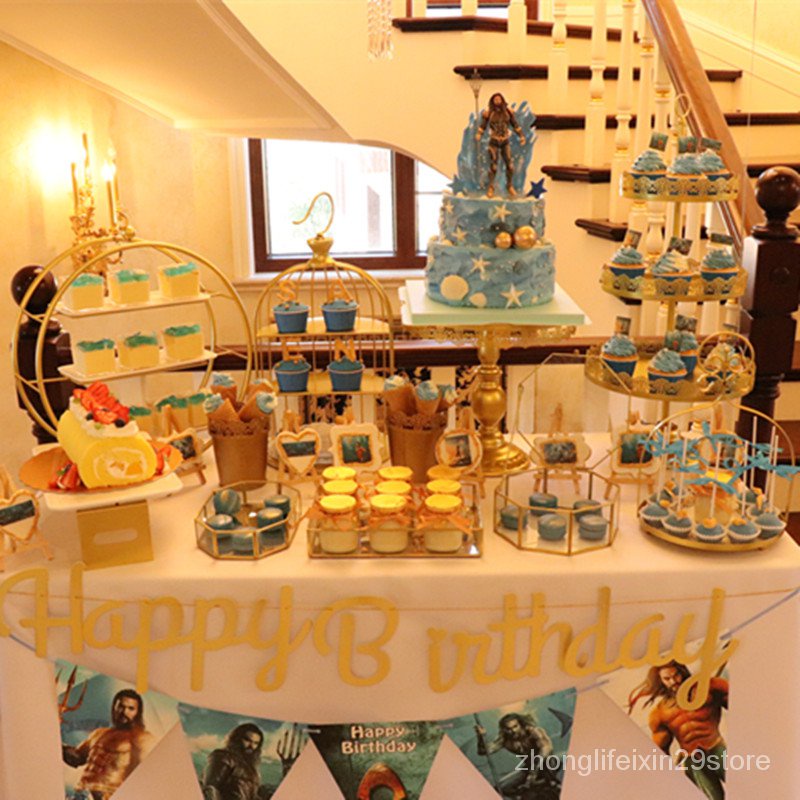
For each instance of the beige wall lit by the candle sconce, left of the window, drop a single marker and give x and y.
(174, 184)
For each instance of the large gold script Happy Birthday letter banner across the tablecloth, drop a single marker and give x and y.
(334, 631)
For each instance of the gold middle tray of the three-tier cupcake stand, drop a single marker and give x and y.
(694, 289)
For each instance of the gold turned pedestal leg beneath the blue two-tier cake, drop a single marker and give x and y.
(489, 406)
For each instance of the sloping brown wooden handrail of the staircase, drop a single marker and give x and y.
(705, 116)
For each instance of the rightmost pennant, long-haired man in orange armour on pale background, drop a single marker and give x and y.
(694, 740)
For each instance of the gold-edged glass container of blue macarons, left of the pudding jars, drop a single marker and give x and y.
(239, 522)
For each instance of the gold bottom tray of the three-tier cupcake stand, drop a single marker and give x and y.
(703, 387)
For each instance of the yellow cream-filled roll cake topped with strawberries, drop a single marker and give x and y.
(97, 435)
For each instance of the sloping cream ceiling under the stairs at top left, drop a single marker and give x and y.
(189, 62)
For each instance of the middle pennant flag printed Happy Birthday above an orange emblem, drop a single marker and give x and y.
(382, 759)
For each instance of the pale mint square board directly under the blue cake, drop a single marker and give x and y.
(418, 309)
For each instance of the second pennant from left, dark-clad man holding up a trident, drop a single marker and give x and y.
(240, 757)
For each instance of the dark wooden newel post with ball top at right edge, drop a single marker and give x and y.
(771, 256)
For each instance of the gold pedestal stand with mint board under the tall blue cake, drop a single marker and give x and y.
(491, 330)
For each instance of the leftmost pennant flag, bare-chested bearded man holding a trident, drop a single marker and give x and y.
(107, 729)
